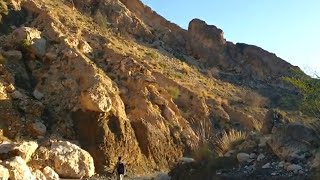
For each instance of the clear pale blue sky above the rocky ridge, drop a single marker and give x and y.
(288, 28)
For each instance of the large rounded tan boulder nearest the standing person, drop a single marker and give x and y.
(70, 161)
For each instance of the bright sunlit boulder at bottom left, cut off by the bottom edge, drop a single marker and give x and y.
(18, 169)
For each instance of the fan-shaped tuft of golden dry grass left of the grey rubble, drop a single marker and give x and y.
(228, 140)
